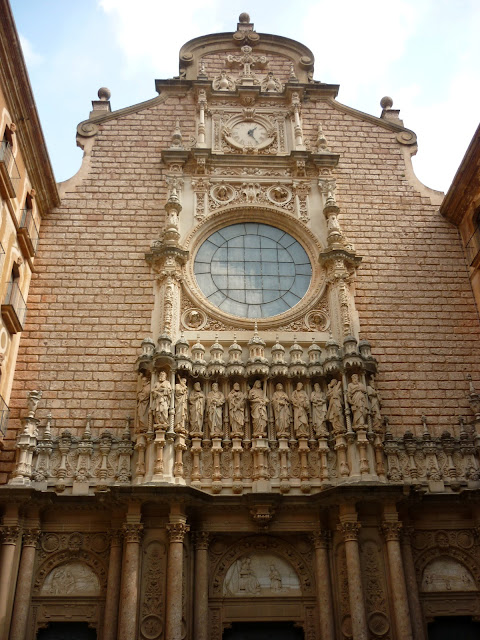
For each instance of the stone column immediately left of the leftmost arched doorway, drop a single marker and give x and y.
(23, 591)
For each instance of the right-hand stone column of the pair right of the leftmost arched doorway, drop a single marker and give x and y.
(128, 610)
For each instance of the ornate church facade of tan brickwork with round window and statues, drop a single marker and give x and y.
(244, 403)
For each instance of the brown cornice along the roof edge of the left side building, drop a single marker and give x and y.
(21, 104)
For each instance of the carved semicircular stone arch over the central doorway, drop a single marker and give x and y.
(263, 547)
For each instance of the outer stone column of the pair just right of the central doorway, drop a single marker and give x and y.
(350, 528)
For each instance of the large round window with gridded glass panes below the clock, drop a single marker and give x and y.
(252, 270)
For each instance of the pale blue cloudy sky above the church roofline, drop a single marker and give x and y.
(424, 54)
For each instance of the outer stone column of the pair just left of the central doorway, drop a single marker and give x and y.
(176, 531)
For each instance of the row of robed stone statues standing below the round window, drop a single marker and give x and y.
(317, 411)
